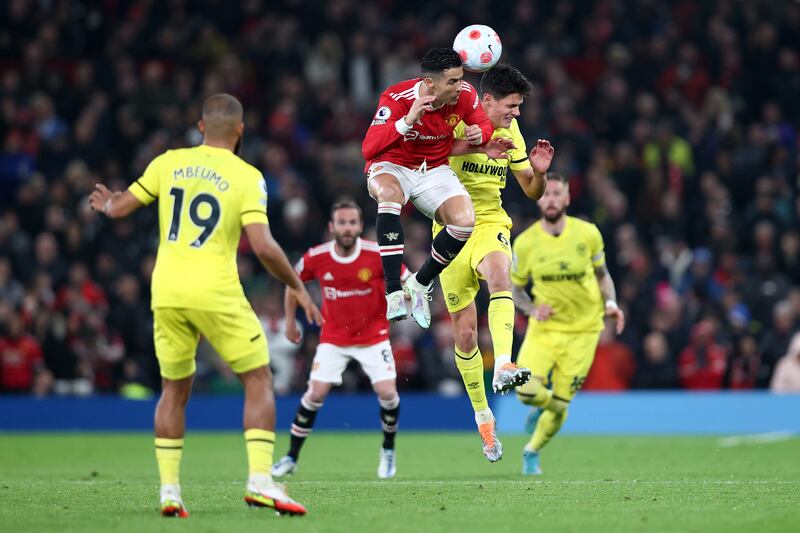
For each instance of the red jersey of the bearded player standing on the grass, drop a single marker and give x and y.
(353, 293)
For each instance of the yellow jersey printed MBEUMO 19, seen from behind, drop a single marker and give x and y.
(205, 195)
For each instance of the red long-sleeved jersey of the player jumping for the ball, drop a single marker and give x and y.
(429, 141)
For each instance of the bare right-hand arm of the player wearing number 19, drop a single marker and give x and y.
(274, 259)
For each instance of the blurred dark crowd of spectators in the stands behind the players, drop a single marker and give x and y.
(676, 123)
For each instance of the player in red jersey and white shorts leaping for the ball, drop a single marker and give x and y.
(406, 150)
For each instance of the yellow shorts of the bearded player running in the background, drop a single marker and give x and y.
(568, 355)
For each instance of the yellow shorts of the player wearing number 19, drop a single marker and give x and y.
(236, 336)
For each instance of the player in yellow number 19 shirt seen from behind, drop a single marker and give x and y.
(206, 195)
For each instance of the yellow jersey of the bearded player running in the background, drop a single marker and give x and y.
(562, 271)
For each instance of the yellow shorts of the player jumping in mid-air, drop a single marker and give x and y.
(460, 278)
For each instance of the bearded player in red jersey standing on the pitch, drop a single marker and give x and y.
(350, 275)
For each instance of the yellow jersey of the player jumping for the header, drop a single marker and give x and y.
(484, 178)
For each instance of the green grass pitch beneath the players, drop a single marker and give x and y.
(108, 482)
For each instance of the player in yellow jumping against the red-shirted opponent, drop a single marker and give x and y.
(487, 254)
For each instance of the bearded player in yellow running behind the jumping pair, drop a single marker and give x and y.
(572, 291)
